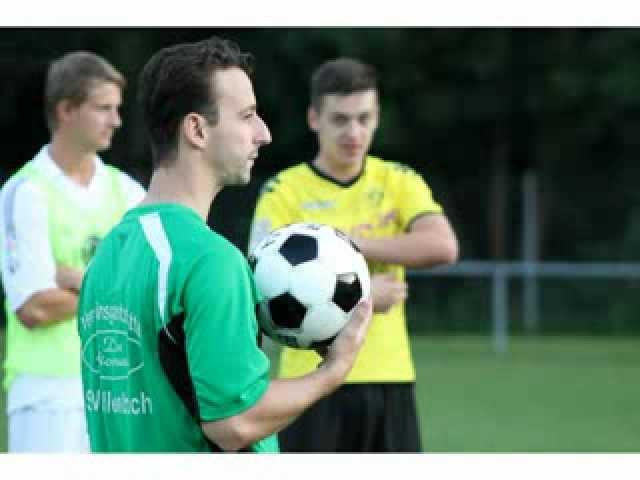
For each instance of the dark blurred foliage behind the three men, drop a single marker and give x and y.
(472, 109)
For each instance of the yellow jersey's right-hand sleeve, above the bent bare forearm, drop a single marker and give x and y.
(414, 196)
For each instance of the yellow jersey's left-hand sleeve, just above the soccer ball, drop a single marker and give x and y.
(273, 210)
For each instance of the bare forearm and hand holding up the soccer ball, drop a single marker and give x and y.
(286, 399)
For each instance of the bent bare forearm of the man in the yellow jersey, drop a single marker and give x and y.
(429, 242)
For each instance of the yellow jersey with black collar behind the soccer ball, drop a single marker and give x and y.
(382, 201)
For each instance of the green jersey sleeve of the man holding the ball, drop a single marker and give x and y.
(228, 370)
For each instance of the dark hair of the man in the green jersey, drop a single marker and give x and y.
(177, 81)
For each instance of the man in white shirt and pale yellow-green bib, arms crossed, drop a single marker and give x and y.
(53, 213)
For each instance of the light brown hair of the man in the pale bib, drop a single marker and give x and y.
(71, 77)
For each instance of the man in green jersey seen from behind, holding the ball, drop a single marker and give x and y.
(170, 360)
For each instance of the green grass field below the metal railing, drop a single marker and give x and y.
(546, 395)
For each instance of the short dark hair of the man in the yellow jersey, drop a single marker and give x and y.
(342, 76)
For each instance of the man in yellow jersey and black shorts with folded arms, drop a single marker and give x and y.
(390, 213)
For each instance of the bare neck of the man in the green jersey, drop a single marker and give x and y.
(181, 182)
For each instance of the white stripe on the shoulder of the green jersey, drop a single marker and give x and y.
(157, 238)
